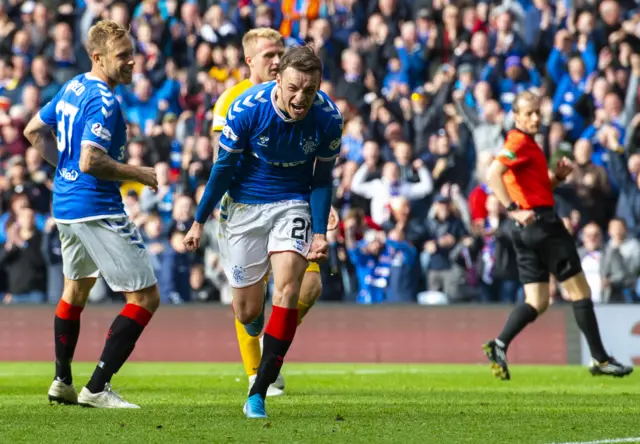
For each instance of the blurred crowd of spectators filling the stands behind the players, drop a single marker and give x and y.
(426, 88)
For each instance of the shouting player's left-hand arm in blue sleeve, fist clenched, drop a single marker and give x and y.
(233, 140)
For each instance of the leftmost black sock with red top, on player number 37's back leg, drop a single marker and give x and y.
(66, 327)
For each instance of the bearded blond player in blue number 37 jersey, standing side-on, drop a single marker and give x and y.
(96, 236)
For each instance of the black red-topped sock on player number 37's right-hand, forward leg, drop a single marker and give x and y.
(121, 340)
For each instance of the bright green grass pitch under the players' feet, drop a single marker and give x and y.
(185, 403)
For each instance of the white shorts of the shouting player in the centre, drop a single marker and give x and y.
(248, 234)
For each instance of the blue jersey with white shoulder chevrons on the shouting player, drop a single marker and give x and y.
(277, 153)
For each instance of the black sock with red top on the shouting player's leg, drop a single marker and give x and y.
(276, 342)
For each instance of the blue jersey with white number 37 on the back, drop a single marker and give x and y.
(85, 112)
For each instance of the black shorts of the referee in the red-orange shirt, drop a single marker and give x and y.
(545, 246)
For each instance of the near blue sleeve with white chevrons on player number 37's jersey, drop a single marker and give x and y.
(100, 115)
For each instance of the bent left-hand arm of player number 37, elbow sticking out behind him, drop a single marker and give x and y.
(40, 132)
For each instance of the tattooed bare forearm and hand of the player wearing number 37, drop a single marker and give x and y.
(96, 162)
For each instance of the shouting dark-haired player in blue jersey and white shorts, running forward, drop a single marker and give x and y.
(276, 157)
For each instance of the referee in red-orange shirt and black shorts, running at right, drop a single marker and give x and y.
(519, 177)
